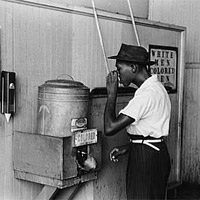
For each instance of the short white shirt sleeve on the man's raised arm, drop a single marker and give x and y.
(138, 107)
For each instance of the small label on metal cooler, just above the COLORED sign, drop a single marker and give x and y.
(78, 124)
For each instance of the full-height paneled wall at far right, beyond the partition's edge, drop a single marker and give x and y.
(186, 13)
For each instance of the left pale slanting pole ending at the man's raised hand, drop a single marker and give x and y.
(100, 37)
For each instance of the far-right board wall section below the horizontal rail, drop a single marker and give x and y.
(191, 131)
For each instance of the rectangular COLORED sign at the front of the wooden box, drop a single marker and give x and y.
(85, 137)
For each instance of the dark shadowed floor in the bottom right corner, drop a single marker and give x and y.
(190, 192)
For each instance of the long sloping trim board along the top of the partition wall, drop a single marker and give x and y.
(87, 11)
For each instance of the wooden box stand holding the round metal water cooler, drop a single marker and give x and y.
(51, 160)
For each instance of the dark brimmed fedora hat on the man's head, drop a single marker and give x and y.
(134, 54)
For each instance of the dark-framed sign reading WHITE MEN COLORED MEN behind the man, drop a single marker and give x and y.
(166, 65)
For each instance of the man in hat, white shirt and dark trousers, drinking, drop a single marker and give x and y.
(146, 118)
